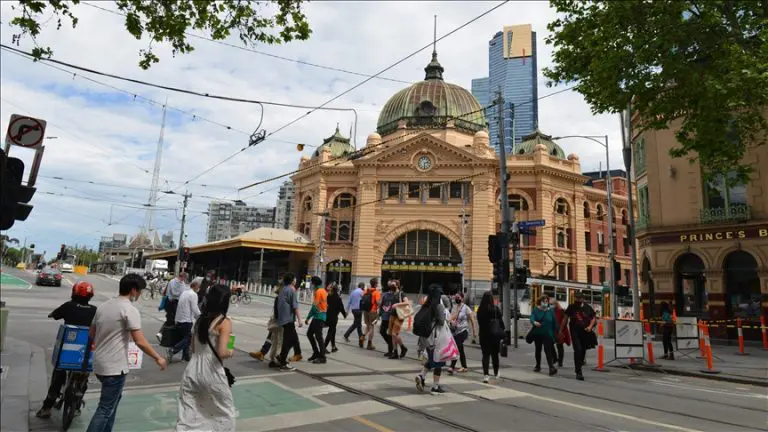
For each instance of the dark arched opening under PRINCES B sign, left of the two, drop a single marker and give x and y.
(690, 285)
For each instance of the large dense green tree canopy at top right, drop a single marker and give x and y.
(704, 63)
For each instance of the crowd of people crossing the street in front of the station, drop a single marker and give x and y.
(197, 326)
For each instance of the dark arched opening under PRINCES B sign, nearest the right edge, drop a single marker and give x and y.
(742, 285)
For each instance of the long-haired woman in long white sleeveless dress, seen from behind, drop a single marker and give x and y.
(205, 398)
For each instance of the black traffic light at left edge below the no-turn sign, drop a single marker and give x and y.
(14, 197)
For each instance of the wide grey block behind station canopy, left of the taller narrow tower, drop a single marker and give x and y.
(230, 219)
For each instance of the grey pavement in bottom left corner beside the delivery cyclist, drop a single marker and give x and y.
(24, 384)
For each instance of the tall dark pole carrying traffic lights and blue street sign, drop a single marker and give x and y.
(504, 237)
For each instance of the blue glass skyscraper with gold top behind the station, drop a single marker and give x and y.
(512, 69)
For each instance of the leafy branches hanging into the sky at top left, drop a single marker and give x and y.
(172, 21)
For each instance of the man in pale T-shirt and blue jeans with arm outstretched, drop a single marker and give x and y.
(115, 325)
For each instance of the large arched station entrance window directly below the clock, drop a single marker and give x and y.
(420, 258)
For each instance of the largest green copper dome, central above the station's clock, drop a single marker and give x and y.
(431, 103)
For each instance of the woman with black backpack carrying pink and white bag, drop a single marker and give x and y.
(438, 317)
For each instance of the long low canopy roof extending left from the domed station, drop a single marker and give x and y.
(260, 238)
